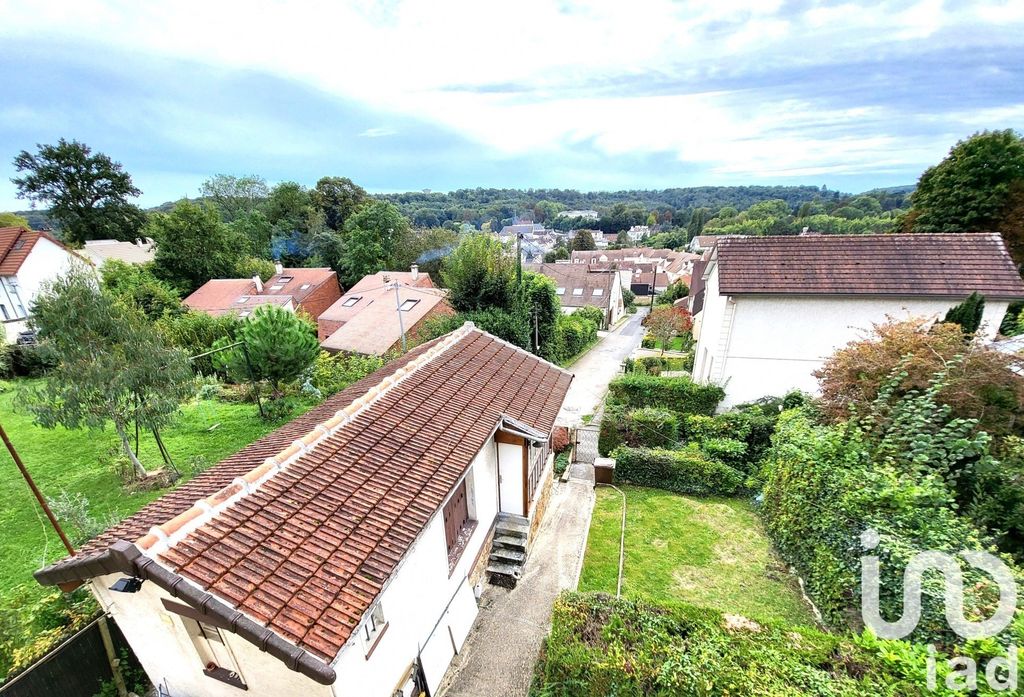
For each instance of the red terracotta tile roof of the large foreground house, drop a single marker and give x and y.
(309, 551)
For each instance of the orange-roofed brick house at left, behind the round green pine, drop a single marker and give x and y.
(310, 290)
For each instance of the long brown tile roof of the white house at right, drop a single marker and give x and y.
(947, 265)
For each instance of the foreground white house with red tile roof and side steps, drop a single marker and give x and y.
(340, 555)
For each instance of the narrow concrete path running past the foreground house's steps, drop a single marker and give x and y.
(499, 657)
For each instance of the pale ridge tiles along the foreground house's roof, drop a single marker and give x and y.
(162, 538)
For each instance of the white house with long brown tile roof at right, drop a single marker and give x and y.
(775, 309)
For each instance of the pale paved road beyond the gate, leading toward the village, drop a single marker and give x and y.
(596, 369)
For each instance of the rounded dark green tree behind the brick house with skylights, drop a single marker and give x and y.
(371, 241)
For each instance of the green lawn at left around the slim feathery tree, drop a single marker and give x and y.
(71, 461)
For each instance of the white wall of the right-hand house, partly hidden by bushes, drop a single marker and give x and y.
(777, 342)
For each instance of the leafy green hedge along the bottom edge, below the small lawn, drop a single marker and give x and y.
(605, 646)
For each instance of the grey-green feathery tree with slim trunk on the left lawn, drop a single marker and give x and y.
(113, 366)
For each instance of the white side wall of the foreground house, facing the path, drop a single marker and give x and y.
(417, 596)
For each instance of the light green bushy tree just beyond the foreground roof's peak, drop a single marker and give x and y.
(480, 274)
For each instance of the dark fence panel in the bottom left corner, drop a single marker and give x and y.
(76, 669)
